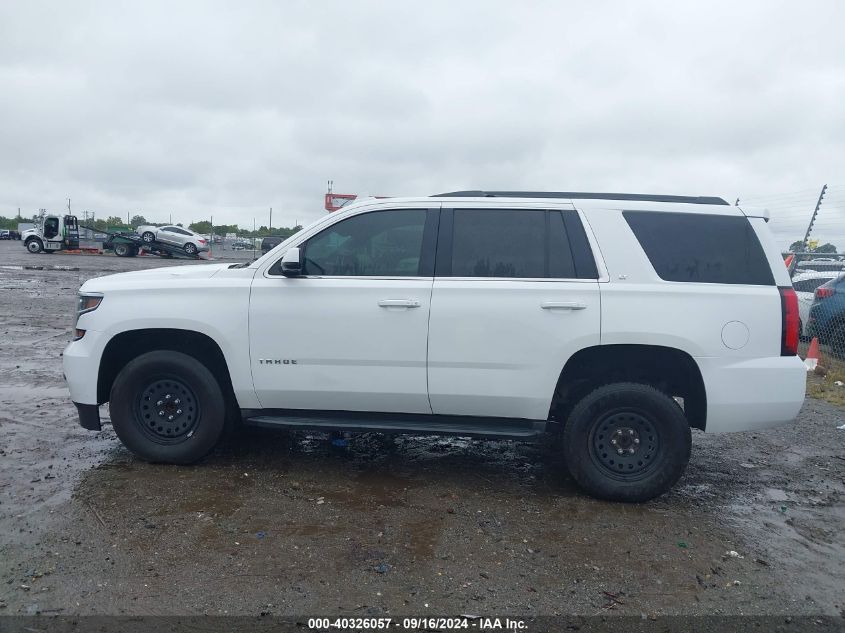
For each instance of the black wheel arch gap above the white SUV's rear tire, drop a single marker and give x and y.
(668, 369)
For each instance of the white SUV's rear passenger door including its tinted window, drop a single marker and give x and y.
(515, 295)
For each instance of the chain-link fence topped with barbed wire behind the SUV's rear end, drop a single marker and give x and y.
(809, 226)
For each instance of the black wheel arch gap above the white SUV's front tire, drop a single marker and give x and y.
(129, 344)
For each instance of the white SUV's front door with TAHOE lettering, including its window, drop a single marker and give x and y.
(350, 333)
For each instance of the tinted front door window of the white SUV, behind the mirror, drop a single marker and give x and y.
(376, 244)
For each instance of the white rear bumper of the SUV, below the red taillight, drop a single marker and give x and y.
(751, 394)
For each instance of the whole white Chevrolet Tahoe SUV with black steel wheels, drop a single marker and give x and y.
(615, 321)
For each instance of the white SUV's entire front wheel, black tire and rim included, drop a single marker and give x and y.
(185, 389)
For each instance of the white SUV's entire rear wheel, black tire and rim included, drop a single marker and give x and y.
(645, 423)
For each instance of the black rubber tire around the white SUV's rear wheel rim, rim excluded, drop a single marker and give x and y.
(669, 422)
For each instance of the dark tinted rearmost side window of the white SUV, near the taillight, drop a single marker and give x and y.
(694, 247)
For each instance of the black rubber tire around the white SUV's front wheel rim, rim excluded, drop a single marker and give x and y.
(136, 375)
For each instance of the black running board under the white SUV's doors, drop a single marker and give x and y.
(342, 421)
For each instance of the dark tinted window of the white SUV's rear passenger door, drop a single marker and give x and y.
(516, 243)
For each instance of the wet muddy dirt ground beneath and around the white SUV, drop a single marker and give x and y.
(290, 524)
